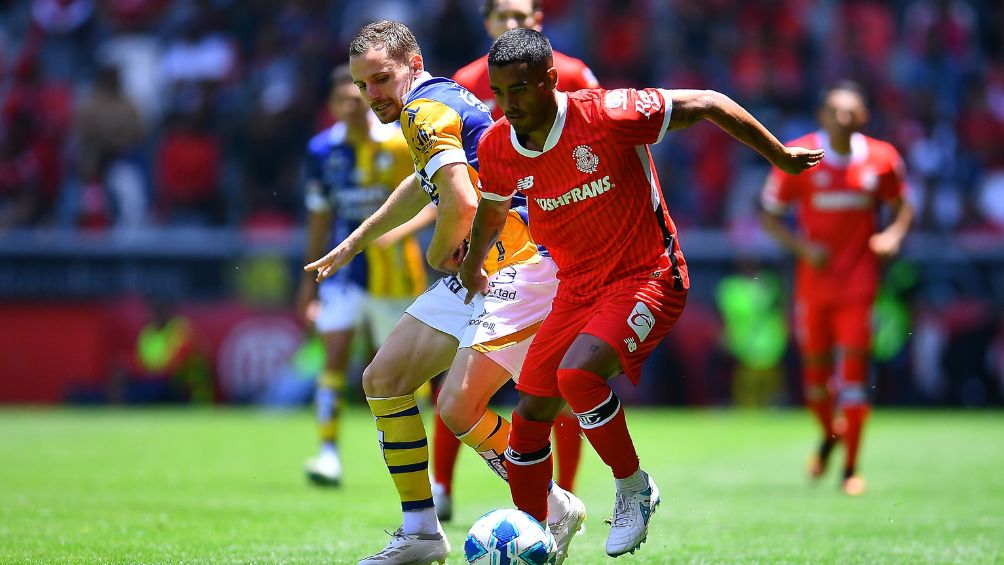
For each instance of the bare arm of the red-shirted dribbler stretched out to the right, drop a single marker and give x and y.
(690, 107)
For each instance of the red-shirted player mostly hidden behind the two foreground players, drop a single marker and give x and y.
(501, 17)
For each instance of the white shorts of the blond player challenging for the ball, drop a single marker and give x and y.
(501, 325)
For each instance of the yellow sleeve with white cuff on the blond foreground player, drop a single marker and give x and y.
(433, 131)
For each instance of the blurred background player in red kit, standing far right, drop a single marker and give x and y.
(838, 273)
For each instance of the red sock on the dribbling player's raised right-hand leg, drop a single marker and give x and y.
(602, 419)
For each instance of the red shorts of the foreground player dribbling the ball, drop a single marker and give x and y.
(633, 321)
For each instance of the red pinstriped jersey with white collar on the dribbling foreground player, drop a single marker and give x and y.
(593, 194)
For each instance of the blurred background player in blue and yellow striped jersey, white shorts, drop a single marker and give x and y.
(351, 170)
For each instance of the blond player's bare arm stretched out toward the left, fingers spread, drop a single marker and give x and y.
(403, 204)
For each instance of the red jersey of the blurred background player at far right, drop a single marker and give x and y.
(837, 206)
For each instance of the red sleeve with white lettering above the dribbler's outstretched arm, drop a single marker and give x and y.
(637, 118)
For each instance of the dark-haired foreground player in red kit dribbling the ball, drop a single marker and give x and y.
(583, 161)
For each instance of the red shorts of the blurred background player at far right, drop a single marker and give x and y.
(823, 327)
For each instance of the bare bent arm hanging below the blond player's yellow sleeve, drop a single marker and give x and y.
(458, 202)
